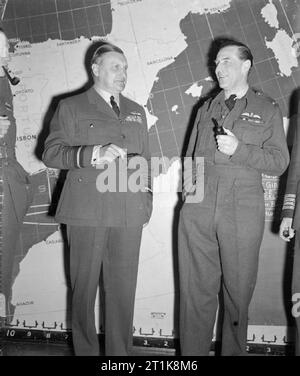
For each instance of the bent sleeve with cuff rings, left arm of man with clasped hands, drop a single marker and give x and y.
(60, 151)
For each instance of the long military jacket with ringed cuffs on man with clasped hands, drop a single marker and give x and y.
(79, 123)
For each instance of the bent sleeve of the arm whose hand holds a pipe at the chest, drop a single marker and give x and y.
(272, 158)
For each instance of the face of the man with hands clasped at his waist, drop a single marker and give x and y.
(111, 72)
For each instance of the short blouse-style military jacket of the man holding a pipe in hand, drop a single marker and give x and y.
(256, 121)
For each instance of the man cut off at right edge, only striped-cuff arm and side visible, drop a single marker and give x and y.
(290, 224)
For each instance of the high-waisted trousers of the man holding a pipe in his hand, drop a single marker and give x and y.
(219, 241)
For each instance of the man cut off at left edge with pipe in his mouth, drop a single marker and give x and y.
(14, 186)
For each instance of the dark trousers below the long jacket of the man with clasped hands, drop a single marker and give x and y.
(116, 250)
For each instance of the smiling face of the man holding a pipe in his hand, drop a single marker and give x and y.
(231, 71)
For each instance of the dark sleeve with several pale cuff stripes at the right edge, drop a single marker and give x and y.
(290, 196)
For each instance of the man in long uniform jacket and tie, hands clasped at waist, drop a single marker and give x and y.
(102, 127)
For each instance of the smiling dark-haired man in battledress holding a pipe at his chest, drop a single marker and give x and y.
(220, 237)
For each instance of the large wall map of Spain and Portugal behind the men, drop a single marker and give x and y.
(167, 44)
